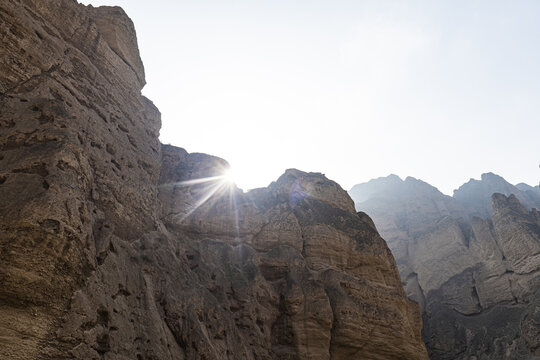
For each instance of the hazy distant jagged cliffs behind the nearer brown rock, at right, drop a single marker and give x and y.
(472, 261)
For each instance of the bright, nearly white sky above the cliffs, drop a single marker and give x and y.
(438, 90)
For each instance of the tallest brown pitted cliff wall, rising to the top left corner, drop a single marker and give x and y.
(79, 158)
